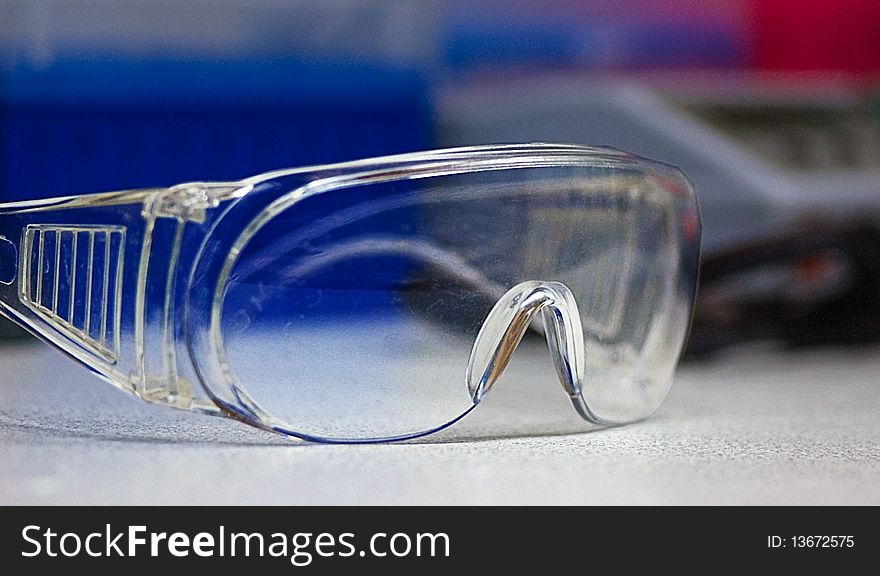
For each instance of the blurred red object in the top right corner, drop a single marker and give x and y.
(842, 35)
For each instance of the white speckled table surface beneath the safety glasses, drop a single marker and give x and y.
(753, 427)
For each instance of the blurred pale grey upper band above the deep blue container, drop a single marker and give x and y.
(38, 31)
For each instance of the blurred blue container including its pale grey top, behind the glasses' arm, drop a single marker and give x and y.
(99, 95)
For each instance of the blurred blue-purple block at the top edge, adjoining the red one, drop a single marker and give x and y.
(494, 34)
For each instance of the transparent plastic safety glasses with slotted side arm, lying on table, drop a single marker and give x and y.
(372, 300)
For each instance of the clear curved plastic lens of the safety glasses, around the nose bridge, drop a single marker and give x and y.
(352, 313)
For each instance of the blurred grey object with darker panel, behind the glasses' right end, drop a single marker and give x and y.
(762, 152)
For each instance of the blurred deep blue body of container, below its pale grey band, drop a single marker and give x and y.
(87, 125)
